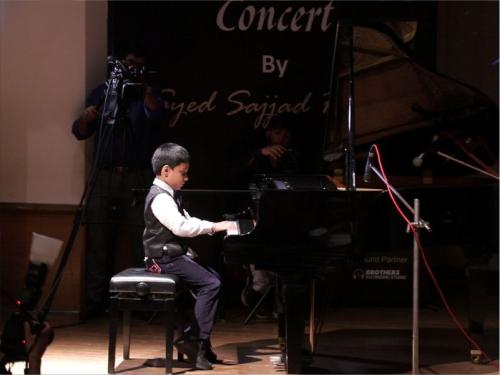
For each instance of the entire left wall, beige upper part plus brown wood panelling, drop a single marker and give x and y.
(51, 54)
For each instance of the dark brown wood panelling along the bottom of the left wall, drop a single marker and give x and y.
(19, 222)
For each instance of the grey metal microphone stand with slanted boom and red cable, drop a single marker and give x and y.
(417, 223)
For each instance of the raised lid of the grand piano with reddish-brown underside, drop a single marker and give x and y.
(393, 93)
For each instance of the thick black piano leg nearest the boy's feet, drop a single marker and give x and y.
(295, 312)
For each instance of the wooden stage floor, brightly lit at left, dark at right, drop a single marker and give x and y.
(353, 340)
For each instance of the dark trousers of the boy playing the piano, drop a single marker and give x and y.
(204, 282)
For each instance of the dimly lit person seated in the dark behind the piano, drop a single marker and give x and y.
(275, 157)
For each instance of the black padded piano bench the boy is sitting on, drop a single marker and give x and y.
(136, 289)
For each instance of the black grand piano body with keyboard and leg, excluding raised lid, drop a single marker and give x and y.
(300, 231)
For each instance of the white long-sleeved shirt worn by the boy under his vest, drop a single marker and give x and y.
(166, 211)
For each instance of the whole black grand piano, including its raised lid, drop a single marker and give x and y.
(305, 225)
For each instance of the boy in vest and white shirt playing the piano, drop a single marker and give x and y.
(165, 251)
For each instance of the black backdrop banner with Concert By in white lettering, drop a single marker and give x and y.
(229, 69)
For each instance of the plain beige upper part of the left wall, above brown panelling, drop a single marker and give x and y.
(50, 53)
